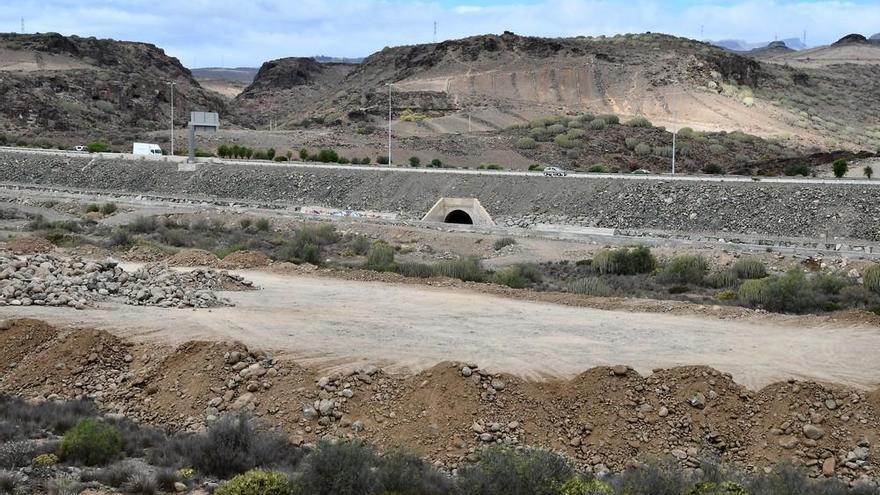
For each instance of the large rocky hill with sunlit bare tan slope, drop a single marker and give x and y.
(491, 82)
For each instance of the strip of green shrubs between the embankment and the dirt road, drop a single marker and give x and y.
(621, 272)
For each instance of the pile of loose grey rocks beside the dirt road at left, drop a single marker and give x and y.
(47, 280)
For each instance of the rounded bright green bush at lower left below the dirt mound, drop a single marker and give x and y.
(91, 442)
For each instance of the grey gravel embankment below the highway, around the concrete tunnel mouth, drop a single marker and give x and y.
(789, 210)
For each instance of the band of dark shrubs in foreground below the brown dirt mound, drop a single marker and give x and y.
(67, 448)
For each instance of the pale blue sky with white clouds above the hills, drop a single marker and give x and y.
(248, 32)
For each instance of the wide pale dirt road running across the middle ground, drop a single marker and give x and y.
(331, 322)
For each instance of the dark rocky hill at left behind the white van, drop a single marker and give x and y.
(89, 88)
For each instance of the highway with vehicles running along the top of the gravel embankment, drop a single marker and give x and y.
(458, 171)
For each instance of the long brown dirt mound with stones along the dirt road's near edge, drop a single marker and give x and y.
(603, 419)
